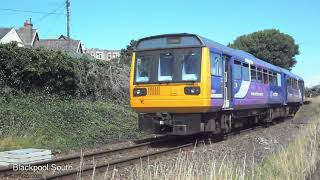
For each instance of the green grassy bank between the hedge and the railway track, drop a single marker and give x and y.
(60, 124)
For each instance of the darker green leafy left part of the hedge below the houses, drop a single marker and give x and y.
(37, 69)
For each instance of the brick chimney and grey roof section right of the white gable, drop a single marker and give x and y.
(27, 34)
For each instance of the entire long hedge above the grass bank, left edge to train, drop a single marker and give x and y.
(54, 72)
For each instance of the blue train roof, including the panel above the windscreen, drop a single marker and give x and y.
(192, 40)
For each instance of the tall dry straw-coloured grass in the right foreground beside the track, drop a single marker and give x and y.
(297, 161)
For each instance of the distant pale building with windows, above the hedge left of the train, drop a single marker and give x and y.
(103, 54)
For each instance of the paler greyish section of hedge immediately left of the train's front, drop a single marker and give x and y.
(102, 80)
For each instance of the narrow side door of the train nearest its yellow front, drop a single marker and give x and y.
(227, 83)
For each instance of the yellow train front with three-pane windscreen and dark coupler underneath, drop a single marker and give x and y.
(170, 83)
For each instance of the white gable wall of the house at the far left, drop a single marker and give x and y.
(8, 35)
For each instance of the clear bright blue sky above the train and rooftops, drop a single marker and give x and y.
(111, 24)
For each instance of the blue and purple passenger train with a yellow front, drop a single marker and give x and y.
(183, 84)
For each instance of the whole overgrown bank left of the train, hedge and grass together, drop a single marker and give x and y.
(50, 99)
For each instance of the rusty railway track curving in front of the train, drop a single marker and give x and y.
(117, 158)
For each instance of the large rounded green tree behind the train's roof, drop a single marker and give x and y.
(269, 45)
